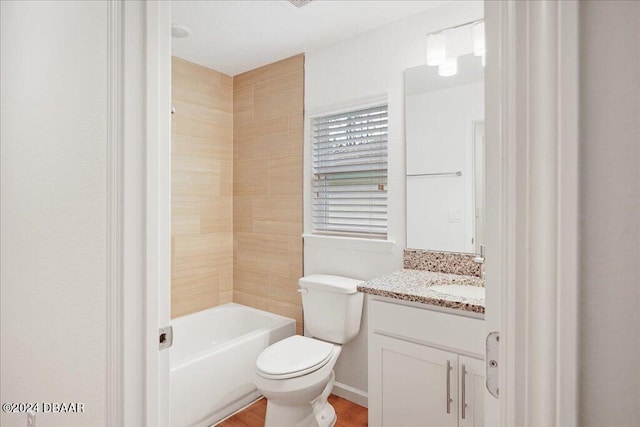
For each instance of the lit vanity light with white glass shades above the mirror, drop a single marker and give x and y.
(440, 55)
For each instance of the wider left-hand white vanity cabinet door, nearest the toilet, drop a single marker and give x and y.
(412, 385)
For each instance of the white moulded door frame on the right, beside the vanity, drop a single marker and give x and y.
(532, 198)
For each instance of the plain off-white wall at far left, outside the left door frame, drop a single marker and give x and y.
(53, 208)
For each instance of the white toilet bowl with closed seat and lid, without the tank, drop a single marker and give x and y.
(297, 386)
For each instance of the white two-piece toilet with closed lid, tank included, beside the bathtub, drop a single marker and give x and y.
(296, 374)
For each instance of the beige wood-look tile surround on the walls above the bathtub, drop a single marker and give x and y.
(237, 187)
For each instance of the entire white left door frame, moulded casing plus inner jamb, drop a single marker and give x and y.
(139, 224)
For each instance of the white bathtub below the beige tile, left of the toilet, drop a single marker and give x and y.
(213, 359)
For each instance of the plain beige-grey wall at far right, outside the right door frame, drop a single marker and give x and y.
(609, 289)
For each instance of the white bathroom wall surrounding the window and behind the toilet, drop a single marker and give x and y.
(348, 74)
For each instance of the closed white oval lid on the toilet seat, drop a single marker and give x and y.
(294, 355)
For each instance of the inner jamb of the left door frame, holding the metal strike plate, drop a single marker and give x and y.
(158, 208)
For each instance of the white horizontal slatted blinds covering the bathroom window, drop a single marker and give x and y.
(350, 173)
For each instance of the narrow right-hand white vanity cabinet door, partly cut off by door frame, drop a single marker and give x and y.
(472, 385)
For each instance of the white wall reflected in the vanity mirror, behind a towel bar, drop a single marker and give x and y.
(439, 139)
